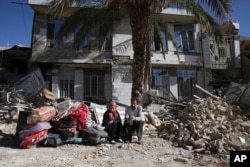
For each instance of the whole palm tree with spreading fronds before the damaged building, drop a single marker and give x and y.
(144, 19)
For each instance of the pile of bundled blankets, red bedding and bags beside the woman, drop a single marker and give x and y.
(57, 124)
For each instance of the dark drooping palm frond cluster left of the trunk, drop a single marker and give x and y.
(88, 22)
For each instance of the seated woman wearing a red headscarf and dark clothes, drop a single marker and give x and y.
(113, 123)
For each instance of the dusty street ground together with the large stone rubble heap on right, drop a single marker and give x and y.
(201, 134)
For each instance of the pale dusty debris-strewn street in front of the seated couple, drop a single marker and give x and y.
(154, 152)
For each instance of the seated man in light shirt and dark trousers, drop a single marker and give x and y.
(133, 121)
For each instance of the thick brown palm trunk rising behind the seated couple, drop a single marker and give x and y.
(140, 38)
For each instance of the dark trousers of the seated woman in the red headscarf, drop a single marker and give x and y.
(114, 130)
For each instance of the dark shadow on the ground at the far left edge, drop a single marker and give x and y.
(9, 140)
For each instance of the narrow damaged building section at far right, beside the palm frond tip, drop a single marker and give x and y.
(224, 60)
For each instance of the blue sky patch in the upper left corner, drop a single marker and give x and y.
(15, 23)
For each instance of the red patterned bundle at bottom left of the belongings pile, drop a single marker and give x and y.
(33, 138)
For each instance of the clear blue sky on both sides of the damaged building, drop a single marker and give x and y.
(16, 21)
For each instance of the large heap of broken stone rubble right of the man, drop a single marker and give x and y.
(208, 125)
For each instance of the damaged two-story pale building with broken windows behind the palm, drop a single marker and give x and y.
(102, 69)
